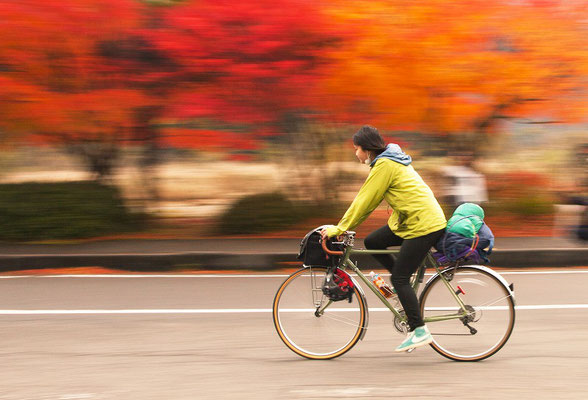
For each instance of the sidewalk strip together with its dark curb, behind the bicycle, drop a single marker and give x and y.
(249, 254)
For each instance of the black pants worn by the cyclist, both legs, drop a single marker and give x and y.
(411, 255)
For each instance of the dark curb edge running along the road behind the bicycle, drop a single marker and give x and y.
(259, 261)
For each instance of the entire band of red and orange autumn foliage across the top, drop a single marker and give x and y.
(440, 67)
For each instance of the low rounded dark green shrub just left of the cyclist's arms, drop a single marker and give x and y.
(268, 212)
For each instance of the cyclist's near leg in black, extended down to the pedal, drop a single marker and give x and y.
(411, 255)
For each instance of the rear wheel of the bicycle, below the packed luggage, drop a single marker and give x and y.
(487, 323)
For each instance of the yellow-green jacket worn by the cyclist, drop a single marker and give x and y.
(416, 212)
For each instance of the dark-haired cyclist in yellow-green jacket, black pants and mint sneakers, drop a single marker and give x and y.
(416, 223)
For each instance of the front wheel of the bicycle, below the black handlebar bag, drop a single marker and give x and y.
(309, 323)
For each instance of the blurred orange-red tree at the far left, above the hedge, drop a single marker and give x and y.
(56, 82)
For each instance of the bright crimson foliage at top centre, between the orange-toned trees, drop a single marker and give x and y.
(244, 61)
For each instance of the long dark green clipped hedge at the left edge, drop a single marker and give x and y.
(34, 211)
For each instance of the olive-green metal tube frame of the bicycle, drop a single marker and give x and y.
(417, 279)
